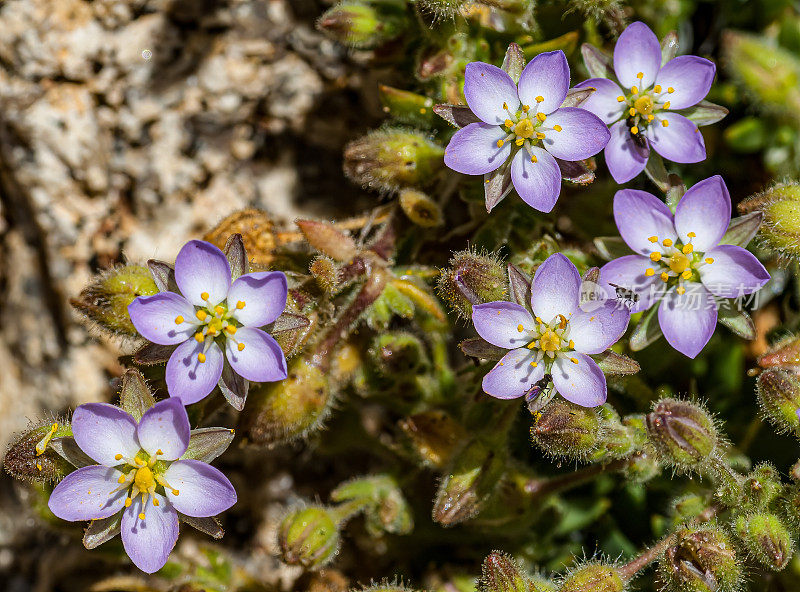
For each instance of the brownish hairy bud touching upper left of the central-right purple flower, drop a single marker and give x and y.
(472, 278)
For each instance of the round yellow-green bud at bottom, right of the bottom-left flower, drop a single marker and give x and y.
(308, 537)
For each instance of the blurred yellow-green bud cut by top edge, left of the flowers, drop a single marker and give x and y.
(362, 24)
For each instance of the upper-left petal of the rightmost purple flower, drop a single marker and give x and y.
(641, 216)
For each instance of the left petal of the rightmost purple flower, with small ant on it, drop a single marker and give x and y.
(628, 273)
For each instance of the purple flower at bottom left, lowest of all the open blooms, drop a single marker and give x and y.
(141, 476)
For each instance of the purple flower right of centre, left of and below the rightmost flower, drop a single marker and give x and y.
(556, 339)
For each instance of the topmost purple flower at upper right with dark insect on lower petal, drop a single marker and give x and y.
(641, 108)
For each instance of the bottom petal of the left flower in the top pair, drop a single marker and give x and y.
(537, 183)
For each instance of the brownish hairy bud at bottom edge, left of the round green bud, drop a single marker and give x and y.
(702, 560)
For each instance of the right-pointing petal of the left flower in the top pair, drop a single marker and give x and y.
(582, 134)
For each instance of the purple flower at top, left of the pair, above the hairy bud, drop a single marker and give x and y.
(525, 125)
